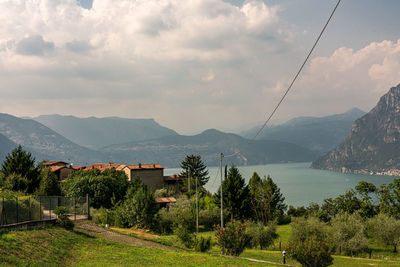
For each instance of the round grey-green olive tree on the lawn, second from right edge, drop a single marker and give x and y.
(348, 233)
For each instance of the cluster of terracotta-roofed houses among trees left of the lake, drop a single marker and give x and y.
(151, 175)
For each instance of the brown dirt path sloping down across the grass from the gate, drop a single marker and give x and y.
(92, 229)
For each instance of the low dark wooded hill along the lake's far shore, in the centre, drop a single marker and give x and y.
(171, 150)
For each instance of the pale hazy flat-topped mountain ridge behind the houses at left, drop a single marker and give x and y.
(95, 132)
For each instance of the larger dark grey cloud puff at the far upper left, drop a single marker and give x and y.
(34, 46)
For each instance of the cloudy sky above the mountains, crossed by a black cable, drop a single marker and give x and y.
(196, 64)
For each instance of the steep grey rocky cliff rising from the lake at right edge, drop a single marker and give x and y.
(373, 145)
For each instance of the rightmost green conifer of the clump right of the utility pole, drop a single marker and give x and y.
(266, 200)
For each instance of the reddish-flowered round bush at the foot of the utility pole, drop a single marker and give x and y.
(233, 238)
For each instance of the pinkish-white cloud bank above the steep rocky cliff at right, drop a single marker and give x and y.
(348, 78)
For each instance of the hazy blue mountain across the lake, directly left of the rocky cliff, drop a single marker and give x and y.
(316, 133)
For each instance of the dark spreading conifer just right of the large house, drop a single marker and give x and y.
(193, 167)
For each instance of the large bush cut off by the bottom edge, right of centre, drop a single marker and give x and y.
(311, 252)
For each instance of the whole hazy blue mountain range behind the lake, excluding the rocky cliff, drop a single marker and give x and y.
(85, 141)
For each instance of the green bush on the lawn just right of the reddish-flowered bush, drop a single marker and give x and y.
(261, 235)
